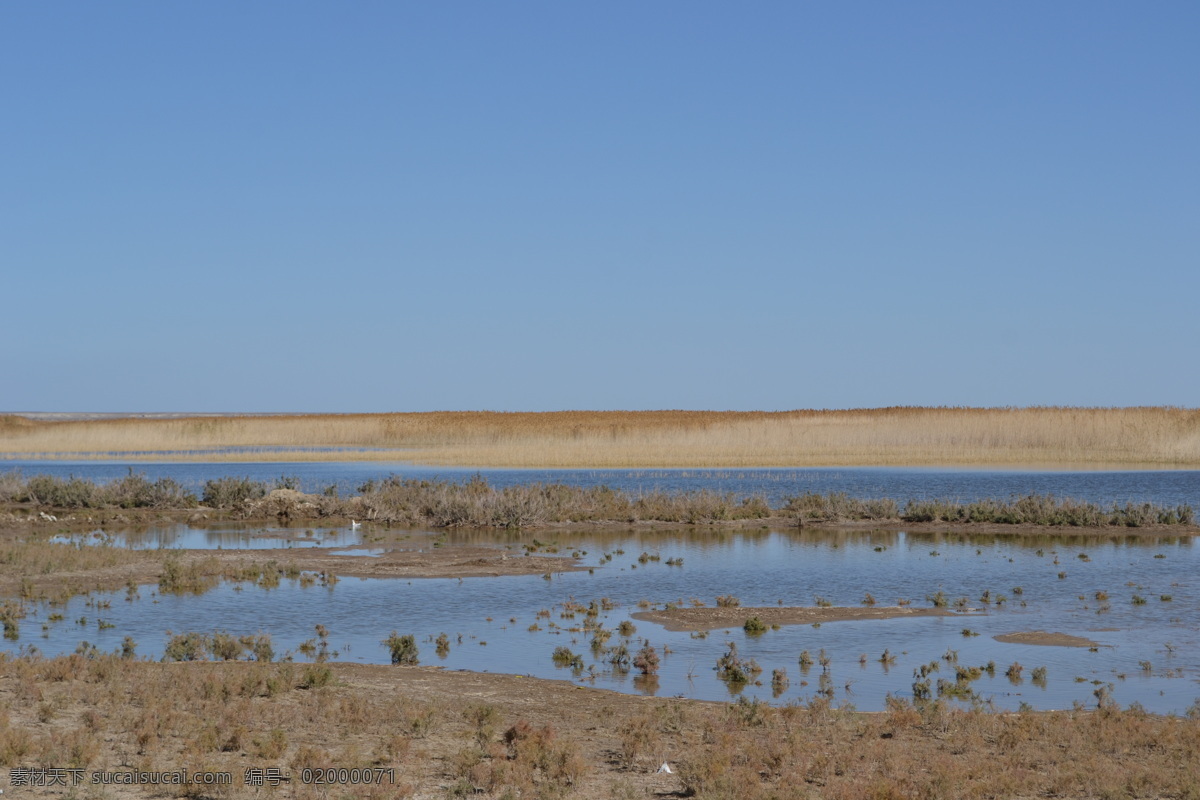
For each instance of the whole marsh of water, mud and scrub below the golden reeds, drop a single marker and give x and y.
(934, 625)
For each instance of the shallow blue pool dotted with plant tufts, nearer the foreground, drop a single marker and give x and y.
(1149, 653)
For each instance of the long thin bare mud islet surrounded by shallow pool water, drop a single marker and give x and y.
(707, 619)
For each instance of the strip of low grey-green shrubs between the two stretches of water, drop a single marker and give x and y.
(477, 504)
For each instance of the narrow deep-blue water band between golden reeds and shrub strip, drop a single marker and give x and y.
(1165, 488)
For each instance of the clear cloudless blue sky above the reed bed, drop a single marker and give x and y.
(369, 207)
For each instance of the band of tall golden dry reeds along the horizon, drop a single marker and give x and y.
(1151, 437)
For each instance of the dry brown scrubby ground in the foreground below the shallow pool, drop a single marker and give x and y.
(458, 735)
